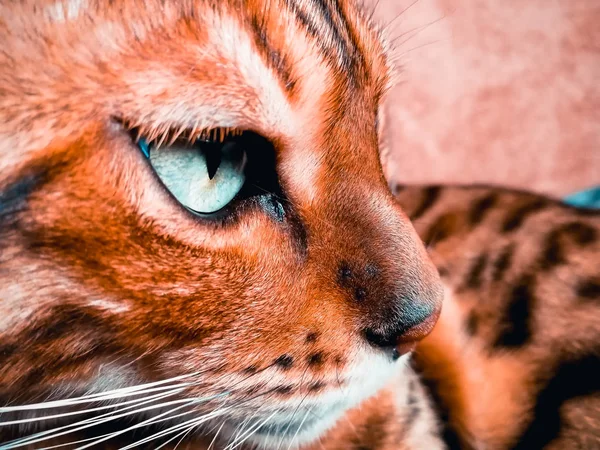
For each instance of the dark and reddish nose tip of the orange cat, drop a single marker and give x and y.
(400, 335)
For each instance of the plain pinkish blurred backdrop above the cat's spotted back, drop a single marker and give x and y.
(503, 92)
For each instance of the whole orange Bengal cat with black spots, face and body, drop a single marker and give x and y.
(198, 248)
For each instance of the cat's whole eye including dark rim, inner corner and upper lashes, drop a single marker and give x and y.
(218, 176)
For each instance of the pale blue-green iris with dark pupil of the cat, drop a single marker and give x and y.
(204, 176)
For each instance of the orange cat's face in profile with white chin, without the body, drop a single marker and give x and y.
(277, 292)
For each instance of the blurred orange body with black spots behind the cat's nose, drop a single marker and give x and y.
(514, 361)
